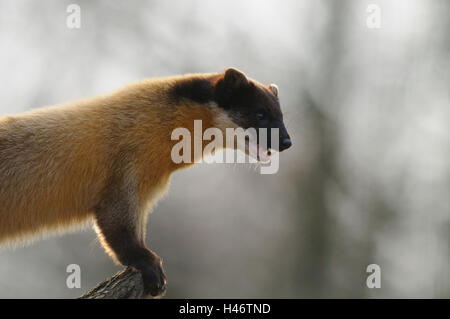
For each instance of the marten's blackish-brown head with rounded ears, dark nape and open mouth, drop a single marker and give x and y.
(243, 101)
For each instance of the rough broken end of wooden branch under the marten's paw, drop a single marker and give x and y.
(126, 284)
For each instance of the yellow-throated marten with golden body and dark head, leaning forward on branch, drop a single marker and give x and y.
(108, 158)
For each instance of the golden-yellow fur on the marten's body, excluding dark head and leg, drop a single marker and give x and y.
(56, 162)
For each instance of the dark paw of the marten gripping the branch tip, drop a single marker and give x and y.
(154, 277)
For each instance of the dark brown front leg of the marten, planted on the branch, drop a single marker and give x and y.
(117, 222)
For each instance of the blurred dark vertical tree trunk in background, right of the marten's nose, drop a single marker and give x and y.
(317, 259)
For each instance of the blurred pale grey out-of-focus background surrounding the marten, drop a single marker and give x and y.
(366, 181)
